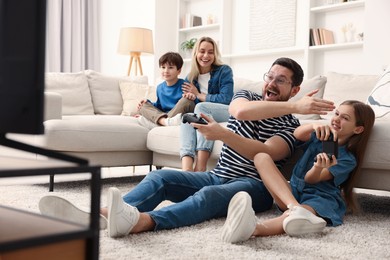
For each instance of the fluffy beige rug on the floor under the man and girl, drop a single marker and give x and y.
(364, 236)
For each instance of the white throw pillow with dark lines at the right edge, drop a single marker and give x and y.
(379, 98)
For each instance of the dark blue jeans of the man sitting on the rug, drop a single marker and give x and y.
(197, 196)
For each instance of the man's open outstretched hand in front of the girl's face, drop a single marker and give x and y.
(312, 105)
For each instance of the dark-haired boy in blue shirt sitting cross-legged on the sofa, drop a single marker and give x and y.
(170, 104)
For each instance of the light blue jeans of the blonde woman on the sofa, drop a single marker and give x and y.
(191, 141)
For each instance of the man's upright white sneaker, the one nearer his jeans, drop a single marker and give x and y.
(121, 216)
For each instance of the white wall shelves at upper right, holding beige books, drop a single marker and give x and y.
(347, 46)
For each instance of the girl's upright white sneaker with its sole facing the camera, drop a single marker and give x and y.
(241, 219)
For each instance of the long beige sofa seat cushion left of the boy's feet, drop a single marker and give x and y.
(92, 133)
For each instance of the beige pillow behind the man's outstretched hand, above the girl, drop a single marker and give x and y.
(308, 85)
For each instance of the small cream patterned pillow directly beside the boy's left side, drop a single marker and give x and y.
(132, 93)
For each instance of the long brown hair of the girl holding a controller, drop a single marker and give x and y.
(357, 144)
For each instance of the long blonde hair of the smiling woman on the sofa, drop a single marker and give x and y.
(195, 68)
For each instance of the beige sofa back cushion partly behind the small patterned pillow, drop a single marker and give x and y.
(105, 92)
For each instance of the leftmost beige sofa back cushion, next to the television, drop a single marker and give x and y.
(73, 87)
